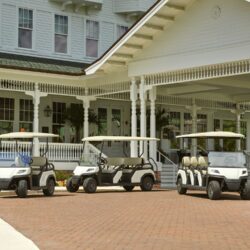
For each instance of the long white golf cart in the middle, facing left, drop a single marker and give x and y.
(128, 172)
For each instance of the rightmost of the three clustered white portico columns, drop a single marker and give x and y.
(152, 144)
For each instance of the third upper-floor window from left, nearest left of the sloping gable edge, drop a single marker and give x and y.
(92, 38)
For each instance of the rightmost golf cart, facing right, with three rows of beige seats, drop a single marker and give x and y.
(213, 171)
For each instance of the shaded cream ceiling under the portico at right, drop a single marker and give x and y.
(235, 88)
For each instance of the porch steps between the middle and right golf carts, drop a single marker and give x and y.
(168, 176)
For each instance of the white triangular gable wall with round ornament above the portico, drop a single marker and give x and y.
(209, 32)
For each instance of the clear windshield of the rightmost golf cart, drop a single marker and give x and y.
(227, 159)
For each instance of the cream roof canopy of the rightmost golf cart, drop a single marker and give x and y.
(213, 134)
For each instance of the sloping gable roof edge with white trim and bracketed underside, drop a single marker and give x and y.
(141, 34)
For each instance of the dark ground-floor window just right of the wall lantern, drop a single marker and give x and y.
(59, 109)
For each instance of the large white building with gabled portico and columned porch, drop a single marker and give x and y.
(186, 57)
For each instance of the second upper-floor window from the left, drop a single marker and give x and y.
(61, 33)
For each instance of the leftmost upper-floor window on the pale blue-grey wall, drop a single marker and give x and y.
(25, 27)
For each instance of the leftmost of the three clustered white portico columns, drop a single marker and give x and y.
(133, 98)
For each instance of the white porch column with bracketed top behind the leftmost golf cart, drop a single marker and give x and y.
(36, 95)
